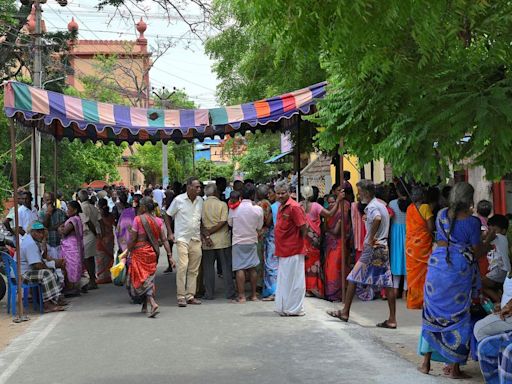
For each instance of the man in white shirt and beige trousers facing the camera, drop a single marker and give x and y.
(186, 211)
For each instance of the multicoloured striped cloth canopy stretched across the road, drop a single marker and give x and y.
(66, 116)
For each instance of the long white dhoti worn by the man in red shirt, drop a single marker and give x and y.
(291, 286)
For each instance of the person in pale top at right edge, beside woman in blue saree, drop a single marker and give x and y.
(499, 262)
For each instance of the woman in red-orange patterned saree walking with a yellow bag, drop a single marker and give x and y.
(145, 236)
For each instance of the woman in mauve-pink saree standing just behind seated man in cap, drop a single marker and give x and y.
(72, 246)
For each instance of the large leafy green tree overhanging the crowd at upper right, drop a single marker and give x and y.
(408, 80)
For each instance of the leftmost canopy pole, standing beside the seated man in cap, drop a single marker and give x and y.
(19, 301)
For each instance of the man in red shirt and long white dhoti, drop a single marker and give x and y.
(290, 230)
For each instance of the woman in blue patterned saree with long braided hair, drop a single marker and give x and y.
(450, 283)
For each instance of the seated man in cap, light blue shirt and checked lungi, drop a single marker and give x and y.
(35, 271)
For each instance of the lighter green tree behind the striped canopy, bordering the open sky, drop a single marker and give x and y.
(251, 65)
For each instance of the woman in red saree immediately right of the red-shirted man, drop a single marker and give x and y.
(313, 264)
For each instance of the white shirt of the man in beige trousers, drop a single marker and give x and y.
(187, 217)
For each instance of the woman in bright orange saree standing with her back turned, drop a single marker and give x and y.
(418, 246)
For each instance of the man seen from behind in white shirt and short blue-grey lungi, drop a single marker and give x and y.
(246, 221)
